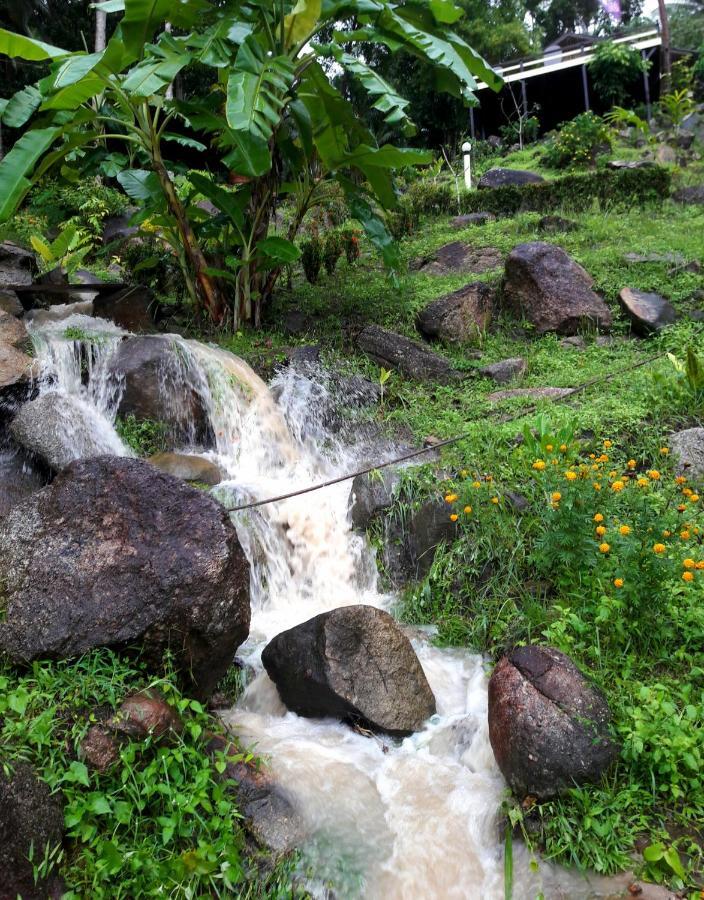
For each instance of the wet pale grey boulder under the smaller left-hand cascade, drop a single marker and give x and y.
(58, 428)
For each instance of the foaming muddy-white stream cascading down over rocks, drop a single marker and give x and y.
(388, 819)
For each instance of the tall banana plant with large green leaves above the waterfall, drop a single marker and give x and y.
(272, 122)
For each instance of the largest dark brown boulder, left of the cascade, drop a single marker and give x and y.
(114, 553)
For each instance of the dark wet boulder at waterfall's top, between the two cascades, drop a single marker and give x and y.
(155, 385)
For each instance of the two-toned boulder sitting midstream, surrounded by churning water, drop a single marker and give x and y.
(353, 663)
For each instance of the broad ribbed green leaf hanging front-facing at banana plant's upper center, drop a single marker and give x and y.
(256, 90)
